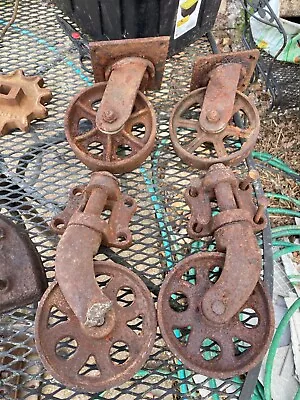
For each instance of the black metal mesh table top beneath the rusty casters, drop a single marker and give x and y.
(38, 169)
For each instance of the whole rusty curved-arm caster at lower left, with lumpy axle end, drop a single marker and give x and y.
(96, 214)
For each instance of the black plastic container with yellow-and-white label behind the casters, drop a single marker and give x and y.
(184, 20)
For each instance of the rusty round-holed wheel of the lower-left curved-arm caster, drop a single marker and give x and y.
(98, 358)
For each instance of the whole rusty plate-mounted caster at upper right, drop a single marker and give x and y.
(203, 121)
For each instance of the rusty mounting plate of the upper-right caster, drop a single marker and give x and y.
(205, 64)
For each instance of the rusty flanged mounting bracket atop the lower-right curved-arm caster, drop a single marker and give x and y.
(200, 196)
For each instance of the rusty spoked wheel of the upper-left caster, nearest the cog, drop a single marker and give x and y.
(117, 152)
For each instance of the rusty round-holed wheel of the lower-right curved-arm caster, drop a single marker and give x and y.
(214, 350)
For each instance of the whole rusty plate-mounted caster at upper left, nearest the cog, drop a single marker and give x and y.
(120, 121)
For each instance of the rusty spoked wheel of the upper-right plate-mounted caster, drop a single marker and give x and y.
(201, 149)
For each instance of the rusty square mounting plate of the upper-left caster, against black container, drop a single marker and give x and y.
(105, 54)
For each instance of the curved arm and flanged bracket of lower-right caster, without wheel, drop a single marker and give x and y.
(233, 228)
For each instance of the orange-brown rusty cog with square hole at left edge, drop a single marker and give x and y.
(22, 99)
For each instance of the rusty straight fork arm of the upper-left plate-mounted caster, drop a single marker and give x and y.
(120, 93)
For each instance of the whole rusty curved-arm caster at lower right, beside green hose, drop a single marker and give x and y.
(204, 302)
